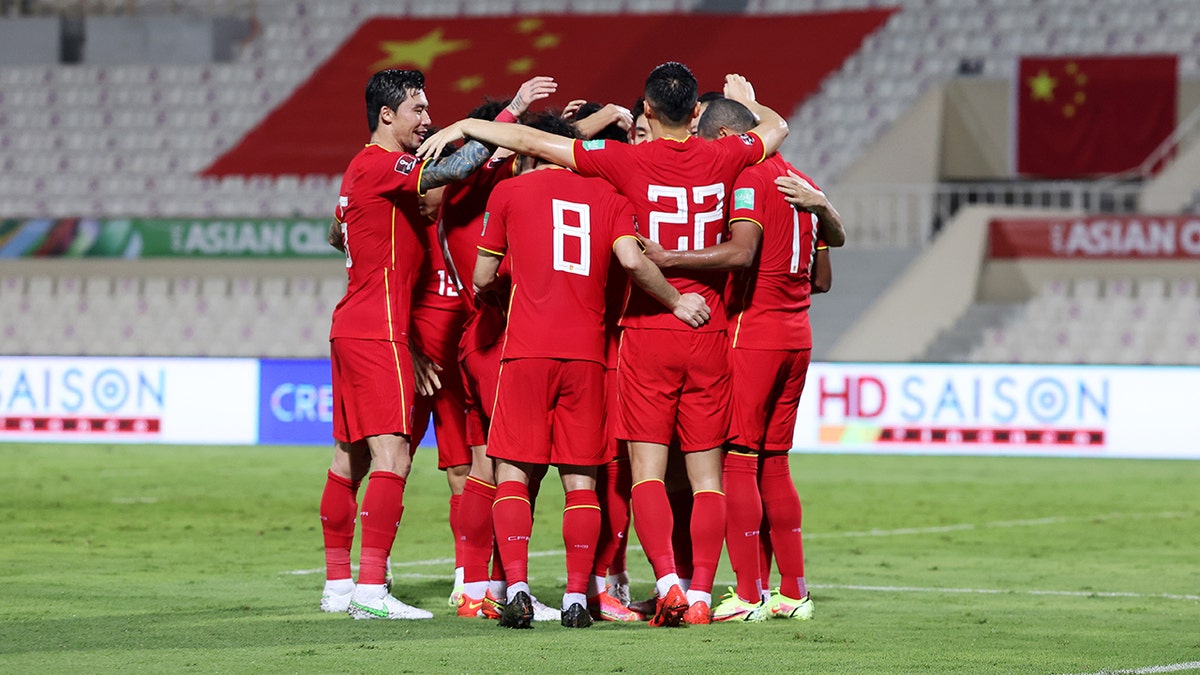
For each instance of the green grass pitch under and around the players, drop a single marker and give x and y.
(191, 559)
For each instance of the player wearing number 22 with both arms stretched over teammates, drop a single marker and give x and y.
(673, 384)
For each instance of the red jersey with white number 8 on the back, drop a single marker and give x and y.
(557, 230)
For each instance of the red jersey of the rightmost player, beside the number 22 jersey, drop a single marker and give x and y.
(770, 303)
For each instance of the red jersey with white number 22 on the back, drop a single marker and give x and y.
(679, 190)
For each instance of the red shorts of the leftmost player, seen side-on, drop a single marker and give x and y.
(373, 389)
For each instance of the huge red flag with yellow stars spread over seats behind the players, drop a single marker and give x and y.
(602, 58)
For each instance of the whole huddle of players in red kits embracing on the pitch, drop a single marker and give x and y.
(585, 357)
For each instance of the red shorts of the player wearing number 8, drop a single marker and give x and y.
(550, 411)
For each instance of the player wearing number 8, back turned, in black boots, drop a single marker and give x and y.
(557, 230)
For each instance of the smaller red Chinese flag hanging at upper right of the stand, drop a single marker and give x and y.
(1079, 117)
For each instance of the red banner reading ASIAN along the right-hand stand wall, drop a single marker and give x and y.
(1096, 237)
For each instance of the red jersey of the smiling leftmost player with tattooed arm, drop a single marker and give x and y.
(385, 244)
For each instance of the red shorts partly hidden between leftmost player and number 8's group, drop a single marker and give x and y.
(439, 332)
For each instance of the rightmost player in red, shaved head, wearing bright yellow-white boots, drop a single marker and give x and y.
(771, 348)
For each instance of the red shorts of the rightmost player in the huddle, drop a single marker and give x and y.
(770, 384)
